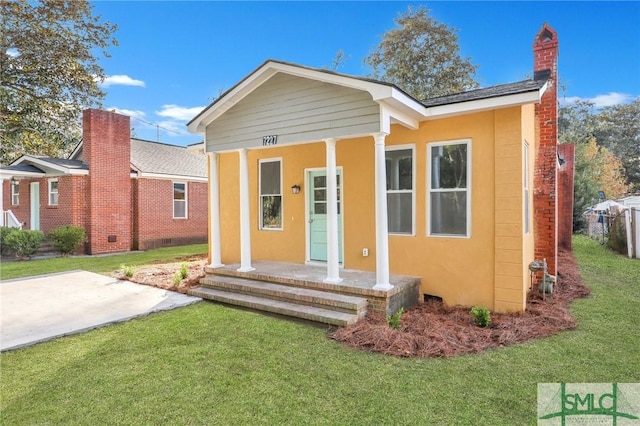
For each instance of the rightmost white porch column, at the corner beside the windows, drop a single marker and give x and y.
(382, 227)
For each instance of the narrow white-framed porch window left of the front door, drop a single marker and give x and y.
(270, 194)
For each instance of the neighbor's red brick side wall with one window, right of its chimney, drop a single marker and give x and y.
(154, 214)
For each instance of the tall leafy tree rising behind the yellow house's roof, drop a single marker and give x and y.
(422, 57)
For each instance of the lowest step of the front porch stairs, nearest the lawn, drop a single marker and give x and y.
(311, 313)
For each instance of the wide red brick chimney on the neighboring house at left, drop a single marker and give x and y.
(107, 150)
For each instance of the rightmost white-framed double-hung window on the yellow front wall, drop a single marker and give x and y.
(449, 182)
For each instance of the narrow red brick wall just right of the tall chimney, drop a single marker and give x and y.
(565, 195)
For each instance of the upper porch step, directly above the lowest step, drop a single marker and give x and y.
(322, 299)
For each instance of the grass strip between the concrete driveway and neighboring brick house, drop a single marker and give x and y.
(99, 264)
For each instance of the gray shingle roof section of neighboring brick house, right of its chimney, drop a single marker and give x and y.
(160, 158)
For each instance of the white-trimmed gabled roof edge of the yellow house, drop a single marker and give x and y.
(395, 104)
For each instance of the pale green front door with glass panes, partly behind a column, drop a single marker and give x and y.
(317, 205)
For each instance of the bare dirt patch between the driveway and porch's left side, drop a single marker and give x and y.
(162, 275)
